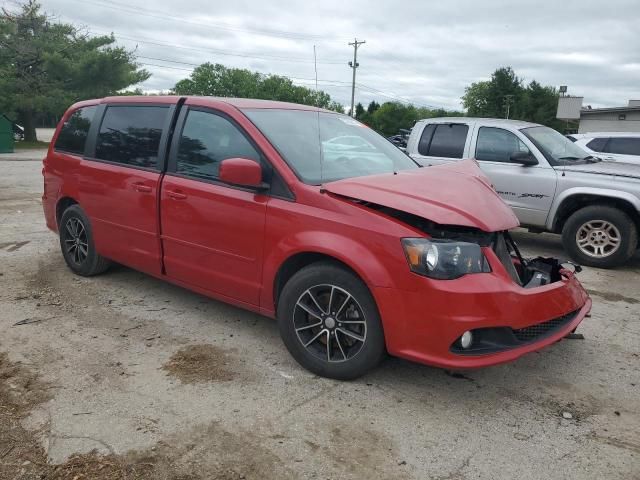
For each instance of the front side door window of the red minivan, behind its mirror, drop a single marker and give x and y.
(206, 140)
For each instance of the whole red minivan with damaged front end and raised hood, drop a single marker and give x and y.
(310, 217)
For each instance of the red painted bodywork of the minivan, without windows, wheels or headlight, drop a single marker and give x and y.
(229, 243)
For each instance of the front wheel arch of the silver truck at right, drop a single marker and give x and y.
(573, 201)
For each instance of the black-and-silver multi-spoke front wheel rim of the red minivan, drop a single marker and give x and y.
(329, 323)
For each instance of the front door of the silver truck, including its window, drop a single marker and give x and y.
(529, 190)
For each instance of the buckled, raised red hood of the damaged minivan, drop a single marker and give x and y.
(453, 194)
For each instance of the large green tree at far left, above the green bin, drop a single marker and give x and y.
(45, 66)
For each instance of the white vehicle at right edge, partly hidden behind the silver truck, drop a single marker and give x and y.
(620, 147)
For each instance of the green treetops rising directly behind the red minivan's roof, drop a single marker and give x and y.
(220, 81)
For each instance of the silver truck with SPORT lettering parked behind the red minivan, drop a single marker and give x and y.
(551, 183)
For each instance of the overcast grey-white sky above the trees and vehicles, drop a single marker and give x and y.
(424, 52)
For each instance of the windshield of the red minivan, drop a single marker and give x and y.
(342, 148)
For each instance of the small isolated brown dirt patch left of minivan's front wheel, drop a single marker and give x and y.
(199, 364)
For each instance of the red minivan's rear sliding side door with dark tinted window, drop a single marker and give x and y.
(118, 182)
